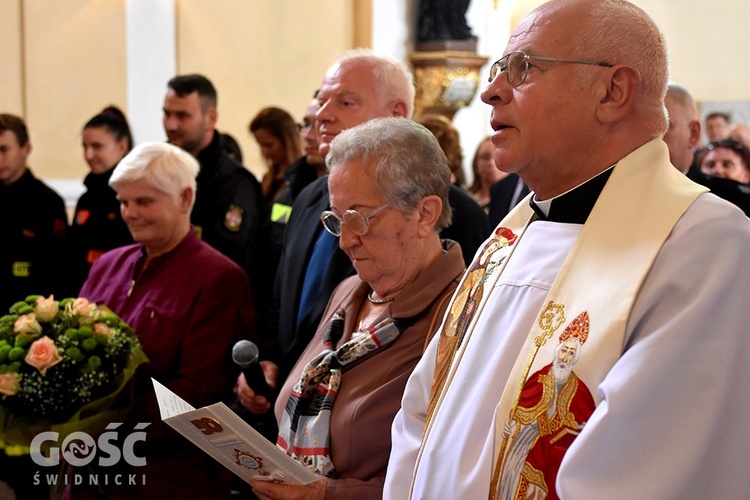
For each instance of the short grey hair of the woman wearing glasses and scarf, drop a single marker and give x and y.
(409, 163)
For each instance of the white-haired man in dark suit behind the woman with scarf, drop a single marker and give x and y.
(359, 87)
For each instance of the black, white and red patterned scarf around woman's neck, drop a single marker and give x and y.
(304, 432)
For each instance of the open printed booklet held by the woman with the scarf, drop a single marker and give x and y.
(218, 431)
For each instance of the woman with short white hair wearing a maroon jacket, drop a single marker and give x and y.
(187, 303)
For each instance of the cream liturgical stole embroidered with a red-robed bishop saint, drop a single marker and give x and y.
(580, 330)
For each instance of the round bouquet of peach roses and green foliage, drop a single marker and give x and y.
(62, 364)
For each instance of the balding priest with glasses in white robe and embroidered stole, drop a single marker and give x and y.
(618, 250)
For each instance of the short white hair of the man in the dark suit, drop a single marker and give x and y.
(392, 77)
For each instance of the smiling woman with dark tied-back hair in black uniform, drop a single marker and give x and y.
(97, 225)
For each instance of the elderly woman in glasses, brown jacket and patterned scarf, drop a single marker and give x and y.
(389, 185)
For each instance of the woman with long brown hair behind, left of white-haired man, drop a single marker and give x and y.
(277, 134)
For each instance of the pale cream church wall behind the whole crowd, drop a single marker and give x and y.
(64, 61)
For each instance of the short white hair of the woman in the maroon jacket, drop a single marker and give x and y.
(163, 166)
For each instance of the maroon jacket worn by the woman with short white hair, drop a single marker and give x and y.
(188, 307)
